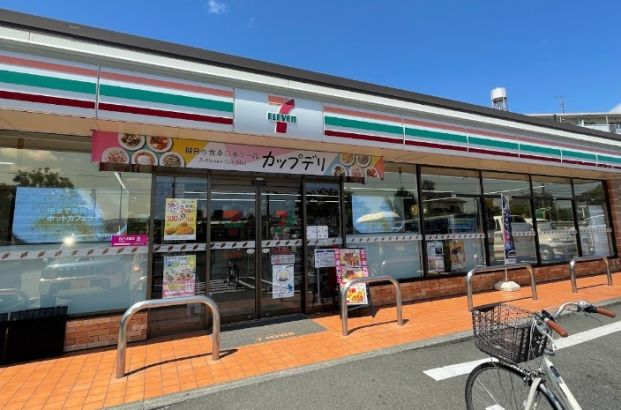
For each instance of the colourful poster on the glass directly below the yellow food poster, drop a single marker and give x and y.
(179, 276)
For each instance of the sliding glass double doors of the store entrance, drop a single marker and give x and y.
(255, 261)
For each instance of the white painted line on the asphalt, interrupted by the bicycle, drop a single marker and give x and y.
(454, 370)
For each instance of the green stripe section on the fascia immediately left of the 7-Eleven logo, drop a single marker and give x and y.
(163, 98)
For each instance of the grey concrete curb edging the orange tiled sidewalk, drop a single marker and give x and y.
(175, 398)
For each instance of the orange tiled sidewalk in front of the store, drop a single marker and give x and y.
(85, 380)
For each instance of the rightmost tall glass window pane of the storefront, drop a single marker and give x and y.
(593, 222)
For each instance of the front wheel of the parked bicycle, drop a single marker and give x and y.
(495, 386)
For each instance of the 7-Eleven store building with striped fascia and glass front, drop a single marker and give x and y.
(133, 168)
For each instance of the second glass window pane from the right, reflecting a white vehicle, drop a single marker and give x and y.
(556, 230)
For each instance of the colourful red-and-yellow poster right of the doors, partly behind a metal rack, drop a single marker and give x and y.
(350, 264)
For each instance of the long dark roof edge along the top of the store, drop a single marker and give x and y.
(113, 38)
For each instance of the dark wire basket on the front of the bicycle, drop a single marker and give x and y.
(506, 333)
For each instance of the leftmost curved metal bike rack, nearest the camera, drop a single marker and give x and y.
(147, 304)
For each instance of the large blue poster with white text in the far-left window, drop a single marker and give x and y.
(51, 215)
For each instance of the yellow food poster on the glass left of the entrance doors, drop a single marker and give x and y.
(180, 219)
